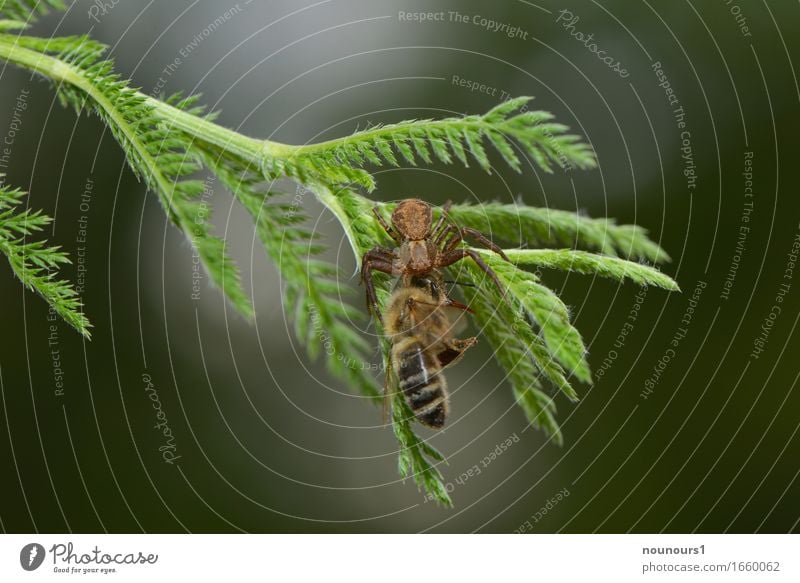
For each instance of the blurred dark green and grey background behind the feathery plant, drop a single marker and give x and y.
(268, 442)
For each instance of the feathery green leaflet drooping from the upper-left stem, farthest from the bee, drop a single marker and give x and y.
(163, 159)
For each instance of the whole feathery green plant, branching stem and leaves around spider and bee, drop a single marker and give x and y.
(169, 142)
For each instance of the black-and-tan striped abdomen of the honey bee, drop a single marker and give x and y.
(422, 382)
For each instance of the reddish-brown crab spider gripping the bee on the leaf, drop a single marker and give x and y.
(422, 248)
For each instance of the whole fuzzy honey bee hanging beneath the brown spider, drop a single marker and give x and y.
(420, 320)
